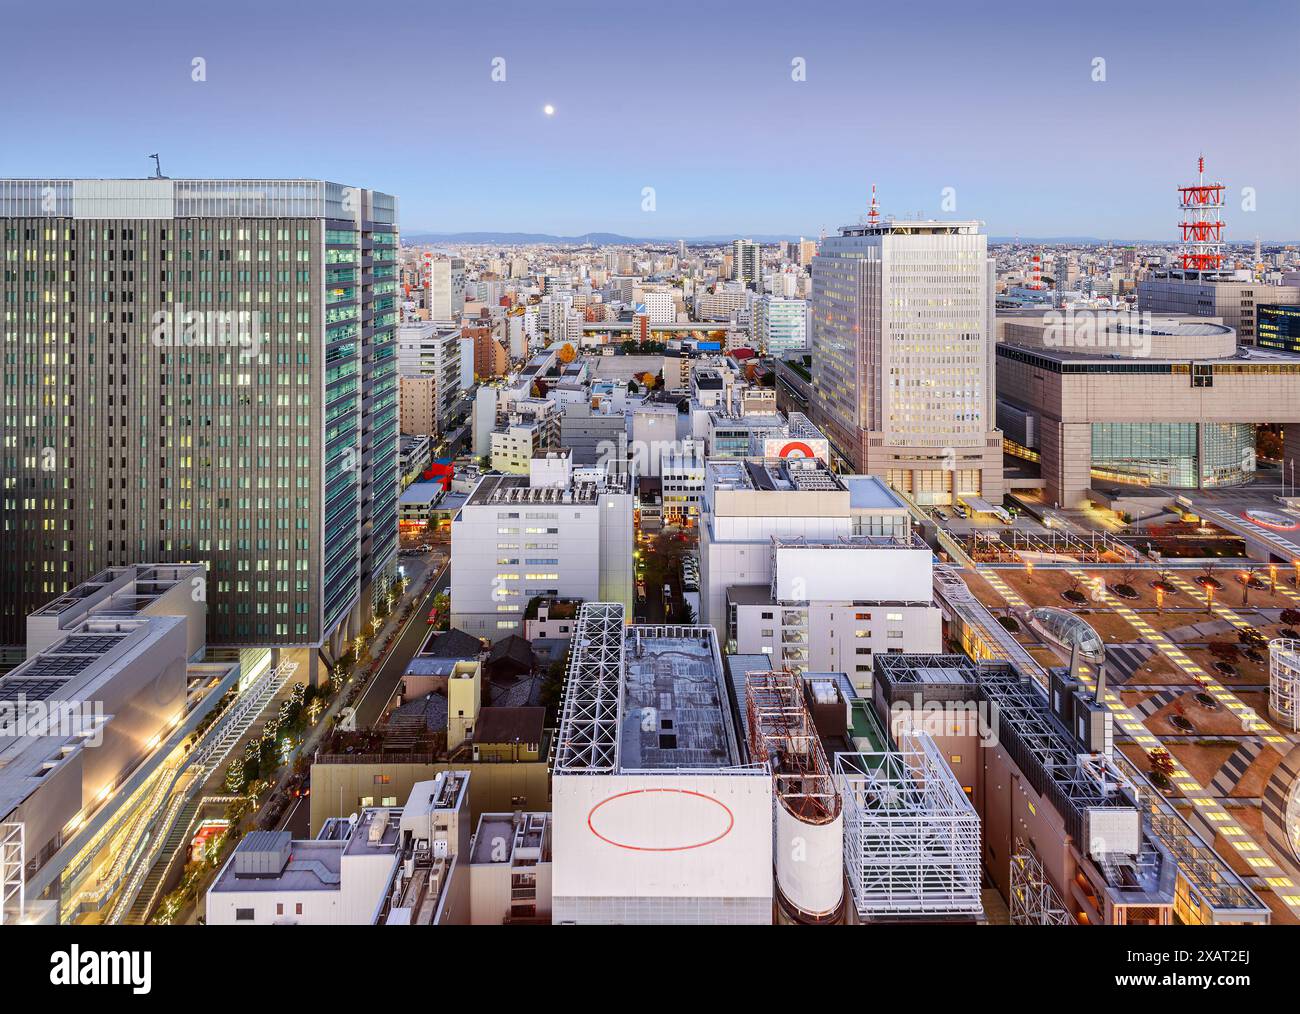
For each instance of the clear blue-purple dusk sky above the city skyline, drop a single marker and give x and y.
(682, 119)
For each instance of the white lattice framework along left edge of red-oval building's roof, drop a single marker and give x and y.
(588, 740)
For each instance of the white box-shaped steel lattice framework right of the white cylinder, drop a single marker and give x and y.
(912, 839)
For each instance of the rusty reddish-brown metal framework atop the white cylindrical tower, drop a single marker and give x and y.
(782, 735)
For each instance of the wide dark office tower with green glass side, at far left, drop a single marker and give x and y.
(203, 371)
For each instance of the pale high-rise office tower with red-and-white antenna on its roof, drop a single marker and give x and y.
(903, 357)
